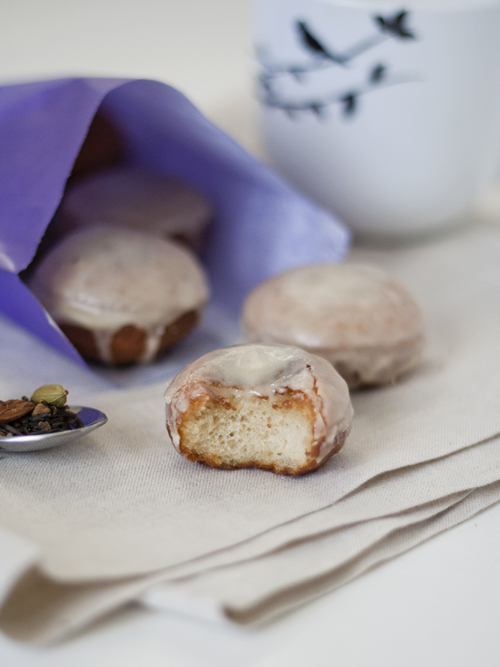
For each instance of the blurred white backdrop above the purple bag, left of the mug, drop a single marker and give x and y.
(202, 47)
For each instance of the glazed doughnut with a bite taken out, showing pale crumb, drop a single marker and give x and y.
(264, 406)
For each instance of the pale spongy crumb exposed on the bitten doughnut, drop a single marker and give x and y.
(251, 431)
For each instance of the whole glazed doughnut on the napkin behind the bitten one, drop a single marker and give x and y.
(357, 317)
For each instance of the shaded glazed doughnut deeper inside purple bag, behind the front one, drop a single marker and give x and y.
(138, 200)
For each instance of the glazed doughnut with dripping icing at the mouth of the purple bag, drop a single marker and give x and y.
(120, 296)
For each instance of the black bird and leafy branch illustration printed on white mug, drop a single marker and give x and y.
(325, 57)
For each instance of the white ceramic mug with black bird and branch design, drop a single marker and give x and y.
(387, 113)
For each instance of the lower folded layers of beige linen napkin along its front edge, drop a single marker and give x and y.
(44, 611)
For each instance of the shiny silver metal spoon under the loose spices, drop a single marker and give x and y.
(90, 417)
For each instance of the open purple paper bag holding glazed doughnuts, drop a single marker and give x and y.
(262, 226)
